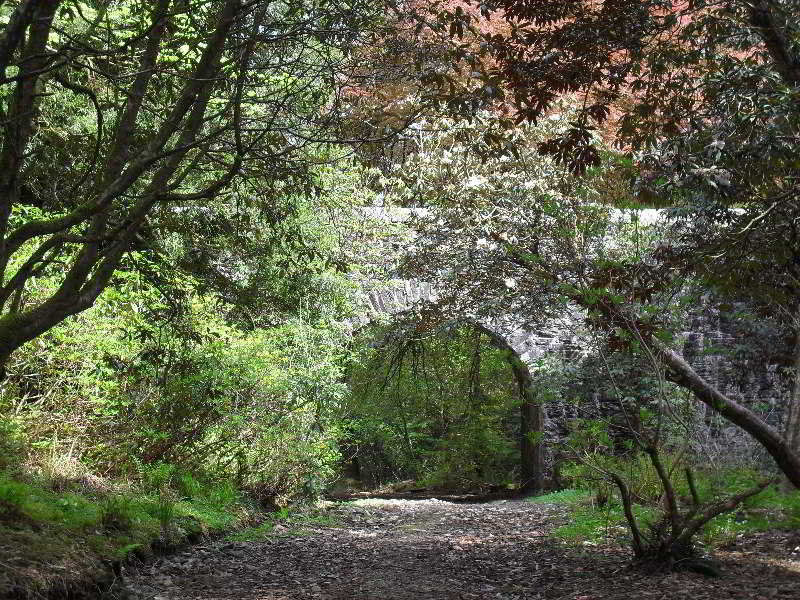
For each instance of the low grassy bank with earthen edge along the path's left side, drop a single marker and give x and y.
(49, 538)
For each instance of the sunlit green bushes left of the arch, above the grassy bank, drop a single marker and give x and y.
(174, 402)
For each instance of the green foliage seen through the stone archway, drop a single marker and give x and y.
(439, 410)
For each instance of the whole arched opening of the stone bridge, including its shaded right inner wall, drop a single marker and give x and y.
(450, 398)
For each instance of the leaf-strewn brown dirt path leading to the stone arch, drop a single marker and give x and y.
(431, 550)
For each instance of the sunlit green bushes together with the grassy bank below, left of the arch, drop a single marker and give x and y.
(184, 413)
